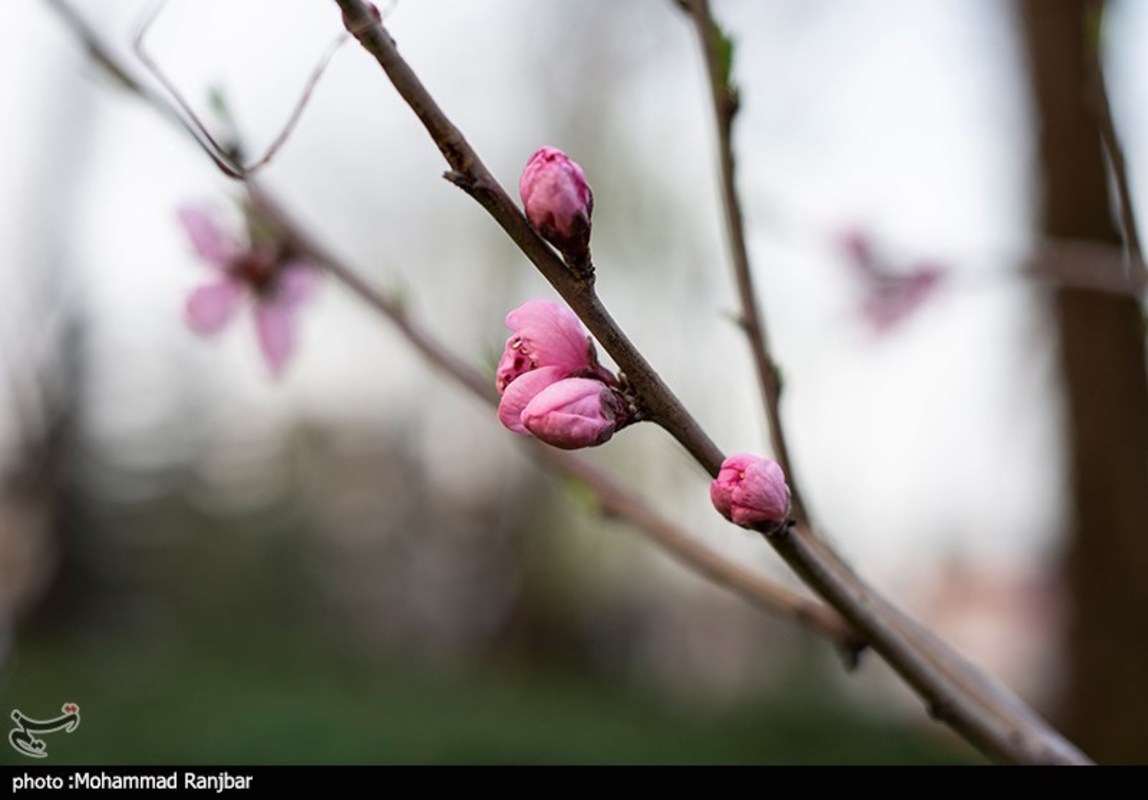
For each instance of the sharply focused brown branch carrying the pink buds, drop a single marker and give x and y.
(988, 723)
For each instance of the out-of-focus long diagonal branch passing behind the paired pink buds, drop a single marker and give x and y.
(614, 499)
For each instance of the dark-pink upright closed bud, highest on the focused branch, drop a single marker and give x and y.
(559, 201)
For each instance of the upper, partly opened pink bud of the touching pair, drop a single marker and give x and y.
(547, 335)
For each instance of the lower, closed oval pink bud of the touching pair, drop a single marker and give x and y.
(572, 414)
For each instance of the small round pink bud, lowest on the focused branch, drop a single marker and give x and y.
(750, 491)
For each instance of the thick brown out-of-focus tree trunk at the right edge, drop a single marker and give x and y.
(1103, 358)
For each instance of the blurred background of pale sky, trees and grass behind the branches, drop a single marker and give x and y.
(358, 564)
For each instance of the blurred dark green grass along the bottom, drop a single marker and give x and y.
(276, 704)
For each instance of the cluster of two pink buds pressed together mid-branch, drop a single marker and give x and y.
(552, 384)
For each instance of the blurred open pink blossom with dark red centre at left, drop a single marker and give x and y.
(276, 284)
